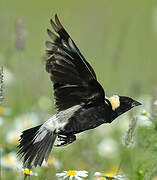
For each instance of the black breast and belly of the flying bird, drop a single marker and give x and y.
(88, 118)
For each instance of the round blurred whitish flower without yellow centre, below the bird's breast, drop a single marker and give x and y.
(107, 147)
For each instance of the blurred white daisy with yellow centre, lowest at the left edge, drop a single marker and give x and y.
(10, 161)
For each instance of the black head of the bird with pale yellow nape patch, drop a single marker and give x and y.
(121, 104)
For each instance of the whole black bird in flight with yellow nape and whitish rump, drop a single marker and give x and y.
(79, 98)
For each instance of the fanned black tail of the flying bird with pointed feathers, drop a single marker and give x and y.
(35, 145)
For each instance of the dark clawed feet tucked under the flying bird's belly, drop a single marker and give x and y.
(66, 139)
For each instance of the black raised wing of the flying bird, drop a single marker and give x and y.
(73, 78)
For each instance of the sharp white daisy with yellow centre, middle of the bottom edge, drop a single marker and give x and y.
(78, 175)
